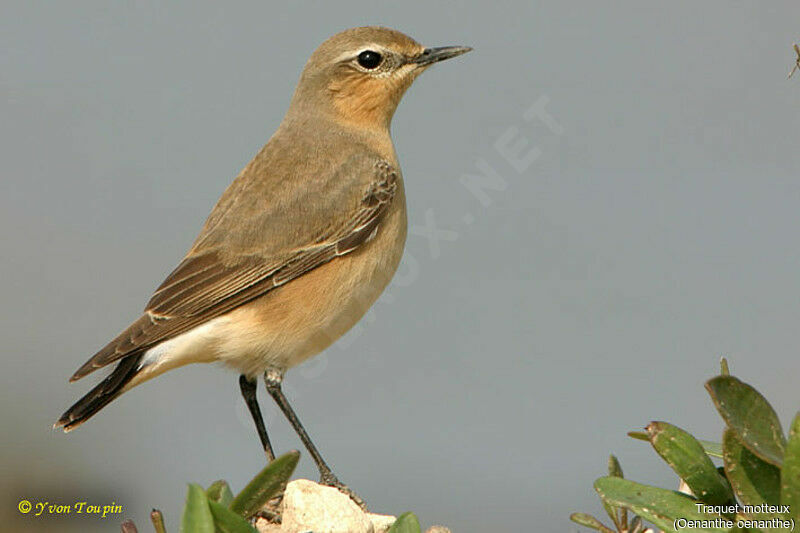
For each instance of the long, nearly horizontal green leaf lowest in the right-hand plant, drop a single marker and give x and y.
(660, 506)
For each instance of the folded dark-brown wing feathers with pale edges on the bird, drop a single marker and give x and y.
(205, 286)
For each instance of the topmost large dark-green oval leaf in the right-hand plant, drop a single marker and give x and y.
(750, 415)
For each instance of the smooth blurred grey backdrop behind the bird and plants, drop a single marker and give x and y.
(656, 231)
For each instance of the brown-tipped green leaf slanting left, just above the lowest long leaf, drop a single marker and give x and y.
(688, 459)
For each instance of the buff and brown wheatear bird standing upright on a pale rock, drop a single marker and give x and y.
(298, 247)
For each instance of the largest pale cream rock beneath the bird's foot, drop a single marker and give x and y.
(308, 506)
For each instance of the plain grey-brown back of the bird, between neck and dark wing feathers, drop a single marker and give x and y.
(300, 183)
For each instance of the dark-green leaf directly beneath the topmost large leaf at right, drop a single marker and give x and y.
(754, 481)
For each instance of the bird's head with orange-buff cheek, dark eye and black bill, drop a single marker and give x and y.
(359, 75)
